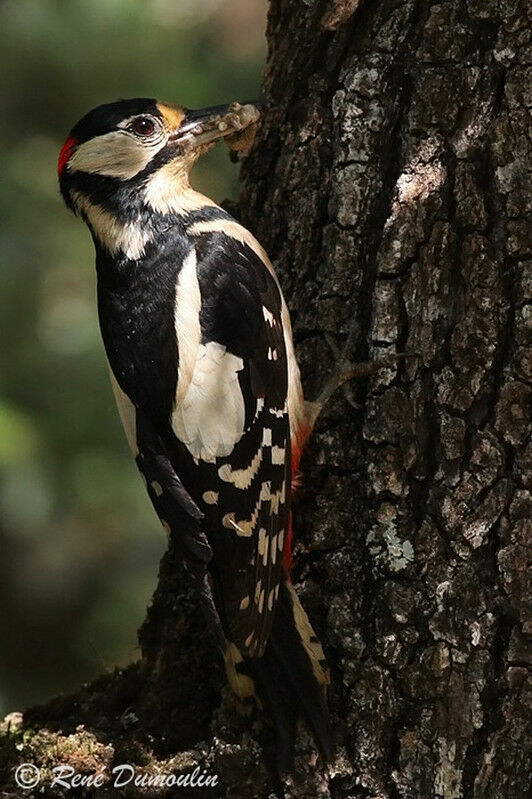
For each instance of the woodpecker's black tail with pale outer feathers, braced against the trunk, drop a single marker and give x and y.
(291, 677)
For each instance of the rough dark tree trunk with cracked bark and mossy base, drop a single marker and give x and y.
(388, 184)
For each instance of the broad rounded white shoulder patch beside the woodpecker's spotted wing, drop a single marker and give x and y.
(210, 418)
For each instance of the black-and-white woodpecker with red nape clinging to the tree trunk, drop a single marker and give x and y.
(202, 364)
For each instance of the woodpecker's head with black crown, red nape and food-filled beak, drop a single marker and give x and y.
(130, 157)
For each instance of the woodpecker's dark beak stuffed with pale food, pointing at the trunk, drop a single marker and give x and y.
(216, 122)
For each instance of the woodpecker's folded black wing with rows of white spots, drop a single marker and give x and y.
(245, 494)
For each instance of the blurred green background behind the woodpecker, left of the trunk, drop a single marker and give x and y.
(79, 542)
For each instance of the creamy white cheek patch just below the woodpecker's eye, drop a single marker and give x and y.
(115, 155)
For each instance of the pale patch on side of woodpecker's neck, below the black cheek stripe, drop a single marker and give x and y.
(129, 237)
